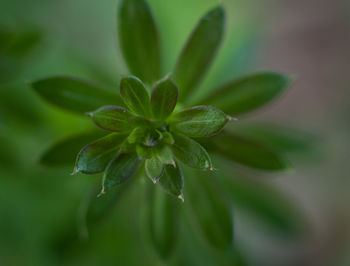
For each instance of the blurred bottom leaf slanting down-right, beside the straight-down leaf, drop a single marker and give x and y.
(208, 209)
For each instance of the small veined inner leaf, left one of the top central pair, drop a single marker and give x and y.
(135, 96)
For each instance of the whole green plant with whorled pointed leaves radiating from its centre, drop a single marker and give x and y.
(169, 127)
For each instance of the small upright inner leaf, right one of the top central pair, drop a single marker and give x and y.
(164, 99)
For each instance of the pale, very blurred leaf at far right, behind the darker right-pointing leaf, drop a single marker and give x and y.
(280, 138)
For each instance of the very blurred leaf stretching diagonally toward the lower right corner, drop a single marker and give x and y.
(266, 203)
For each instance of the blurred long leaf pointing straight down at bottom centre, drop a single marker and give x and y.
(160, 222)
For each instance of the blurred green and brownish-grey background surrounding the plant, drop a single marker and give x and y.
(308, 39)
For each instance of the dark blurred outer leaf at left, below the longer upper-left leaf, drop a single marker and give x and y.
(65, 151)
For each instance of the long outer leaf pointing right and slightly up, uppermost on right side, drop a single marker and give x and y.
(246, 94)
